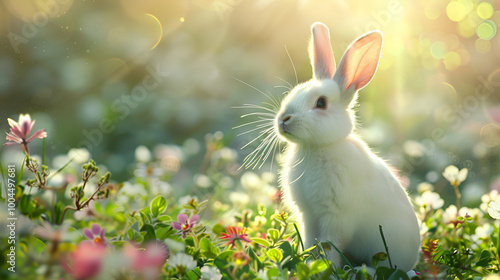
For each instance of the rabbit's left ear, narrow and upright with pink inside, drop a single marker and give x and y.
(320, 52)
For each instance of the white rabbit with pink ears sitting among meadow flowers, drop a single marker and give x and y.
(341, 190)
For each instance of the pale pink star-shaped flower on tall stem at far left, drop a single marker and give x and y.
(19, 132)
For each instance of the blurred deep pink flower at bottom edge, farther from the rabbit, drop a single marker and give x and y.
(85, 261)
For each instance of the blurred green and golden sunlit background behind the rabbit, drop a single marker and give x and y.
(109, 76)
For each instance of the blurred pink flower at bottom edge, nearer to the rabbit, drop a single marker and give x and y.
(150, 259)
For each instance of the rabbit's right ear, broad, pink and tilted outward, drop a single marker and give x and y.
(359, 64)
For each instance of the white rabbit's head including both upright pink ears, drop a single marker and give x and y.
(319, 112)
